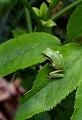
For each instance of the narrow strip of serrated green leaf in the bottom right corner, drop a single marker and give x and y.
(77, 115)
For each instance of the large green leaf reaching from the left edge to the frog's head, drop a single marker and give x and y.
(24, 51)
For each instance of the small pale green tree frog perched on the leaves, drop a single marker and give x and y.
(56, 61)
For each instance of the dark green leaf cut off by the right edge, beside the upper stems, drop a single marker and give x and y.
(74, 27)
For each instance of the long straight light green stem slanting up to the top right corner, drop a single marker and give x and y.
(65, 9)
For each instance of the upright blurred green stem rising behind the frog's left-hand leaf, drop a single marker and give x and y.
(28, 20)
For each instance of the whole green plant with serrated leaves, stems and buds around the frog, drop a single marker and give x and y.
(25, 51)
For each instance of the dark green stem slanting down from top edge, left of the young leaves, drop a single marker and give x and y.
(35, 17)
